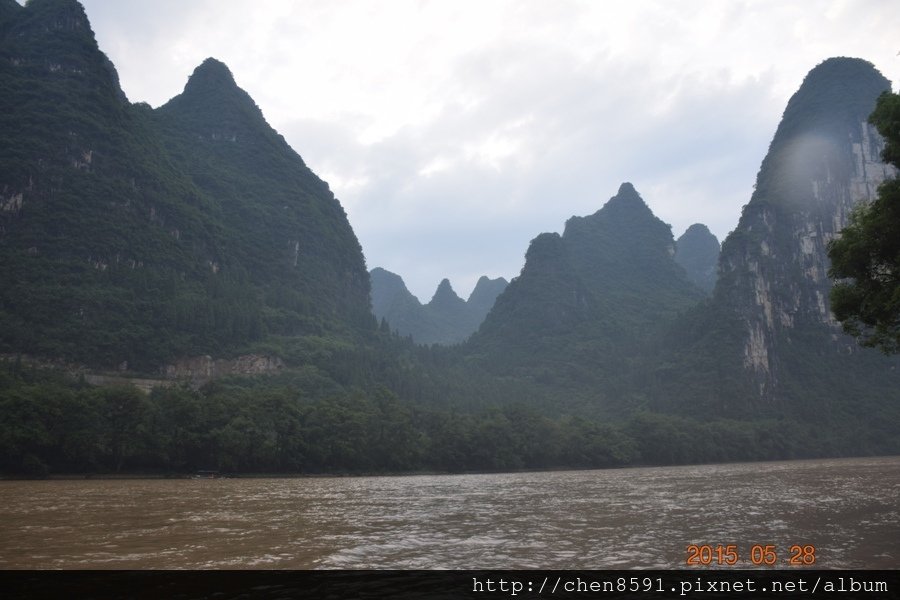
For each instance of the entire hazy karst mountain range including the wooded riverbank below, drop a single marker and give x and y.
(141, 243)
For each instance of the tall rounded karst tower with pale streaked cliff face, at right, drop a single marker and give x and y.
(823, 160)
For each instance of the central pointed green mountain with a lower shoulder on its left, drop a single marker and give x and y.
(589, 302)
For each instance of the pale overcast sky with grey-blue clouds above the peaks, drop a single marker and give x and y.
(454, 131)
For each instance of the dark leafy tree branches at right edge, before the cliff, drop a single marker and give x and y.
(865, 259)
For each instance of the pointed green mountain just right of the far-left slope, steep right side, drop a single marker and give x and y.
(283, 222)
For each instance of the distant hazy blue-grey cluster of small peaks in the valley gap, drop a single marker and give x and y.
(446, 319)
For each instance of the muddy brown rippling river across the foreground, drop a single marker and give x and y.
(848, 510)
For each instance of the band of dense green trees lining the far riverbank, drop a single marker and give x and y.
(303, 423)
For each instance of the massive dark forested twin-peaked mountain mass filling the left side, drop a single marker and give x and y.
(131, 237)
